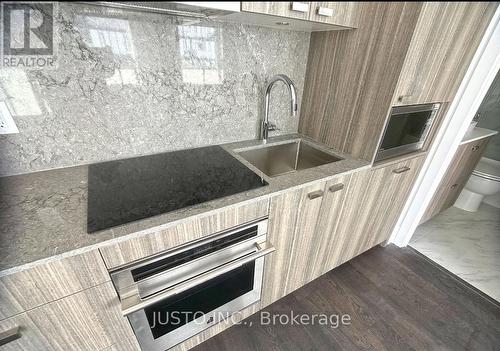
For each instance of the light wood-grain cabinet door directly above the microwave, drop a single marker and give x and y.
(443, 44)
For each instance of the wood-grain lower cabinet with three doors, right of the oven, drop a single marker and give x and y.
(317, 228)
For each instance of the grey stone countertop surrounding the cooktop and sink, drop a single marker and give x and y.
(43, 215)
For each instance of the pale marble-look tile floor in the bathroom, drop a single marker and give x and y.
(465, 243)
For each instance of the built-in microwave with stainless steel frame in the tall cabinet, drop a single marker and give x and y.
(406, 130)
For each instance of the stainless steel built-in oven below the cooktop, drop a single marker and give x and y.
(176, 294)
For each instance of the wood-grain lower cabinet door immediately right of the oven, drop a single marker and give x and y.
(292, 223)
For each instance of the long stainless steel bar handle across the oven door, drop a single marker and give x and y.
(134, 303)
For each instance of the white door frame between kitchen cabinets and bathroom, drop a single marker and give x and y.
(480, 74)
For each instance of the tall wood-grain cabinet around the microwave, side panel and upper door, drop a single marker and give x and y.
(401, 53)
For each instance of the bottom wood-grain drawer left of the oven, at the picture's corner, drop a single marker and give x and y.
(88, 320)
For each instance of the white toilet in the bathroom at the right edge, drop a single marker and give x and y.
(484, 181)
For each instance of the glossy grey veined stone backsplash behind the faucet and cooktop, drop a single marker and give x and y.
(131, 83)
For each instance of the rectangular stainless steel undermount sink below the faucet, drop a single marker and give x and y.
(278, 159)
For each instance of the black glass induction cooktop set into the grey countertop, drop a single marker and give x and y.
(136, 188)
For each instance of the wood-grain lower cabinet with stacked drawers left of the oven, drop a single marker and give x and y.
(63, 304)
